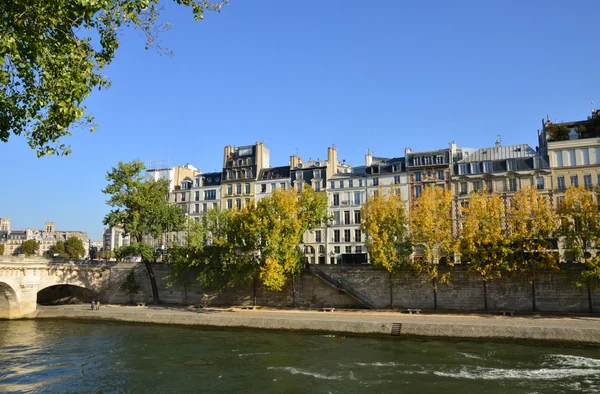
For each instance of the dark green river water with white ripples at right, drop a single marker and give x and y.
(69, 356)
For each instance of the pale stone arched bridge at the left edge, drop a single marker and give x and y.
(22, 278)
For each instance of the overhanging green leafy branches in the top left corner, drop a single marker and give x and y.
(52, 55)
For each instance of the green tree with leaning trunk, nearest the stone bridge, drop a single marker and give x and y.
(140, 207)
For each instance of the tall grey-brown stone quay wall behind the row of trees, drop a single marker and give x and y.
(554, 292)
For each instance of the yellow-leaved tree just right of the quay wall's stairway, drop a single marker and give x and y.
(385, 224)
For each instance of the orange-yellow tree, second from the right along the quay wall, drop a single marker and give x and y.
(532, 224)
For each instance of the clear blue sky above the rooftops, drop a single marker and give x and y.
(302, 75)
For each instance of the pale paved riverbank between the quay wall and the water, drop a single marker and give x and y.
(572, 329)
